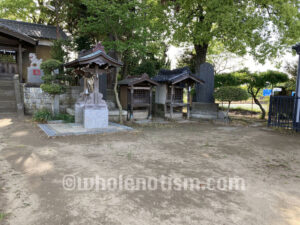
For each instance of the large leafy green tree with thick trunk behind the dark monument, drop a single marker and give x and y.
(241, 26)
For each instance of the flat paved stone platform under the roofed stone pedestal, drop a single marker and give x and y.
(70, 129)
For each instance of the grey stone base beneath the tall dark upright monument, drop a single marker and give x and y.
(205, 110)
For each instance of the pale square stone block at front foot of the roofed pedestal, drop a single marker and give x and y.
(95, 117)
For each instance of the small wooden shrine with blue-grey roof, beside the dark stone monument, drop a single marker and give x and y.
(170, 91)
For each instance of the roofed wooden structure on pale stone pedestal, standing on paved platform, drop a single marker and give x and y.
(90, 108)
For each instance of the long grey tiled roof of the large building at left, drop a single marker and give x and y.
(38, 31)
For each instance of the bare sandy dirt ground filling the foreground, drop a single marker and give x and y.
(32, 168)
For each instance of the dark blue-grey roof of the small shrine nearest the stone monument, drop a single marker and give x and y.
(176, 76)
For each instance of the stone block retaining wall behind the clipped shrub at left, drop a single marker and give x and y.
(34, 99)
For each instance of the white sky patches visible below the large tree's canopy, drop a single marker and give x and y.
(175, 52)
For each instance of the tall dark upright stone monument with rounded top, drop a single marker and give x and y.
(205, 93)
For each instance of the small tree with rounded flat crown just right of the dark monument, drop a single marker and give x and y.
(230, 94)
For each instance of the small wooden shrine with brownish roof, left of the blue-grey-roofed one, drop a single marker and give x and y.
(136, 93)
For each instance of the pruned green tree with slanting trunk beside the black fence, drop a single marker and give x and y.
(257, 81)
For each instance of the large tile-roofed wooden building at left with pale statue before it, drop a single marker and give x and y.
(23, 46)
